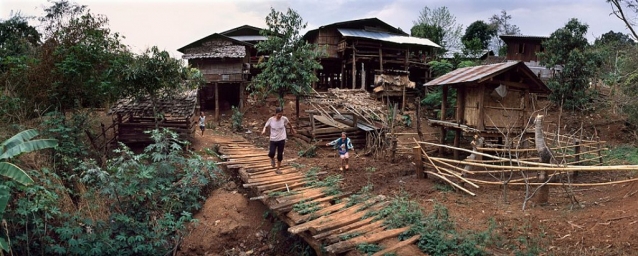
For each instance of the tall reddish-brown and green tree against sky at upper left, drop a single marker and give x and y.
(79, 48)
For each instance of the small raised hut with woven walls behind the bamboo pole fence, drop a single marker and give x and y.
(491, 100)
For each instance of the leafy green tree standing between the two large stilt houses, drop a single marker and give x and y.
(292, 61)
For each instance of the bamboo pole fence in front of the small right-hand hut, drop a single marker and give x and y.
(485, 166)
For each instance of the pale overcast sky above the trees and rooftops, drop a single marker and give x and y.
(171, 24)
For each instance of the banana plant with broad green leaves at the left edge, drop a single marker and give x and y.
(20, 143)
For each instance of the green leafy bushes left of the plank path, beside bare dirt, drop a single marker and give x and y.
(139, 204)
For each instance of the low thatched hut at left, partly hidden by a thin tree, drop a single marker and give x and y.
(131, 117)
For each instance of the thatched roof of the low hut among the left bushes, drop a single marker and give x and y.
(178, 106)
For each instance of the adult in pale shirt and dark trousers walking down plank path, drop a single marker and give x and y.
(278, 137)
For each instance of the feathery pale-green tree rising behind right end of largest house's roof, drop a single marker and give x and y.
(438, 23)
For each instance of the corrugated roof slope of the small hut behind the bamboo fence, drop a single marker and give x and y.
(471, 74)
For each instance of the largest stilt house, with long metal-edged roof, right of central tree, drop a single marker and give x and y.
(358, 50)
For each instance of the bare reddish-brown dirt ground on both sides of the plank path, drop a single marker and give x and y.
(603, 222)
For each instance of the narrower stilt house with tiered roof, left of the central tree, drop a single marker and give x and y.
(226, 60)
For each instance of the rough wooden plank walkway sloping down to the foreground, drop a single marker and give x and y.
(331, 222)
